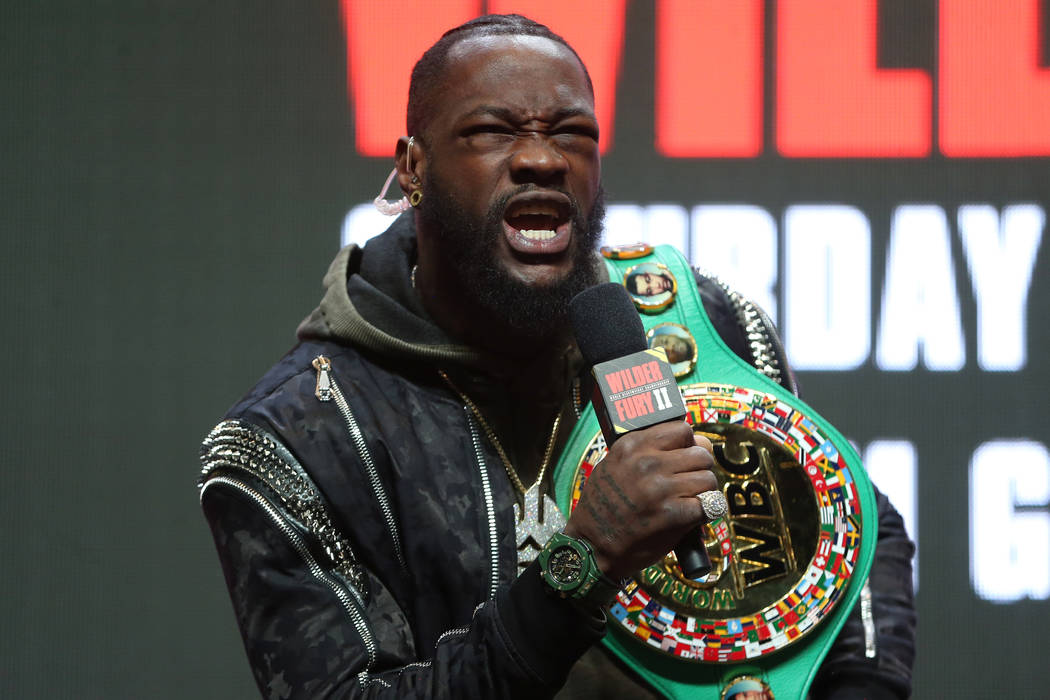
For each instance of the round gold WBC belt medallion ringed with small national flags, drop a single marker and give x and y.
(793, 536)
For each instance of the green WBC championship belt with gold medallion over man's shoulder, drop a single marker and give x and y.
(792, 555)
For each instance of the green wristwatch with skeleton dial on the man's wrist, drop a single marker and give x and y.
(569, 568)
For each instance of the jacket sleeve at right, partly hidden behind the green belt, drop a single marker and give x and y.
(874, 653)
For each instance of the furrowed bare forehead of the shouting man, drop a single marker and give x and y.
(531, 75)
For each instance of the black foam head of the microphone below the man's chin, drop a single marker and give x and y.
(606, 324)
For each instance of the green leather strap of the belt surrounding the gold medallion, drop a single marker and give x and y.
(790, 671)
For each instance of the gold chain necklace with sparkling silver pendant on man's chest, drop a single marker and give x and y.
(538, 518)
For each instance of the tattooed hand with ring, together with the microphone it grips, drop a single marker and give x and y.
(642, 500)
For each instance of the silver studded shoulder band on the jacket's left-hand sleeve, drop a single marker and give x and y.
(235, 447)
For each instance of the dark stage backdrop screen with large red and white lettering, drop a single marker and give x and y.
(179, 175)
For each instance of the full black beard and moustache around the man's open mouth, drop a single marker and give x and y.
(471, 245)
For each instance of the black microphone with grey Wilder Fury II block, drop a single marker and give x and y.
(635, 387)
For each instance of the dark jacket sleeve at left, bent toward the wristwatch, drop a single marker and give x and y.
(316, 629)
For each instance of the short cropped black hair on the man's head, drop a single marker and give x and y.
(428, 73)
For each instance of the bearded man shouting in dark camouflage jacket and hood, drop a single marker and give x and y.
(368, 497)
